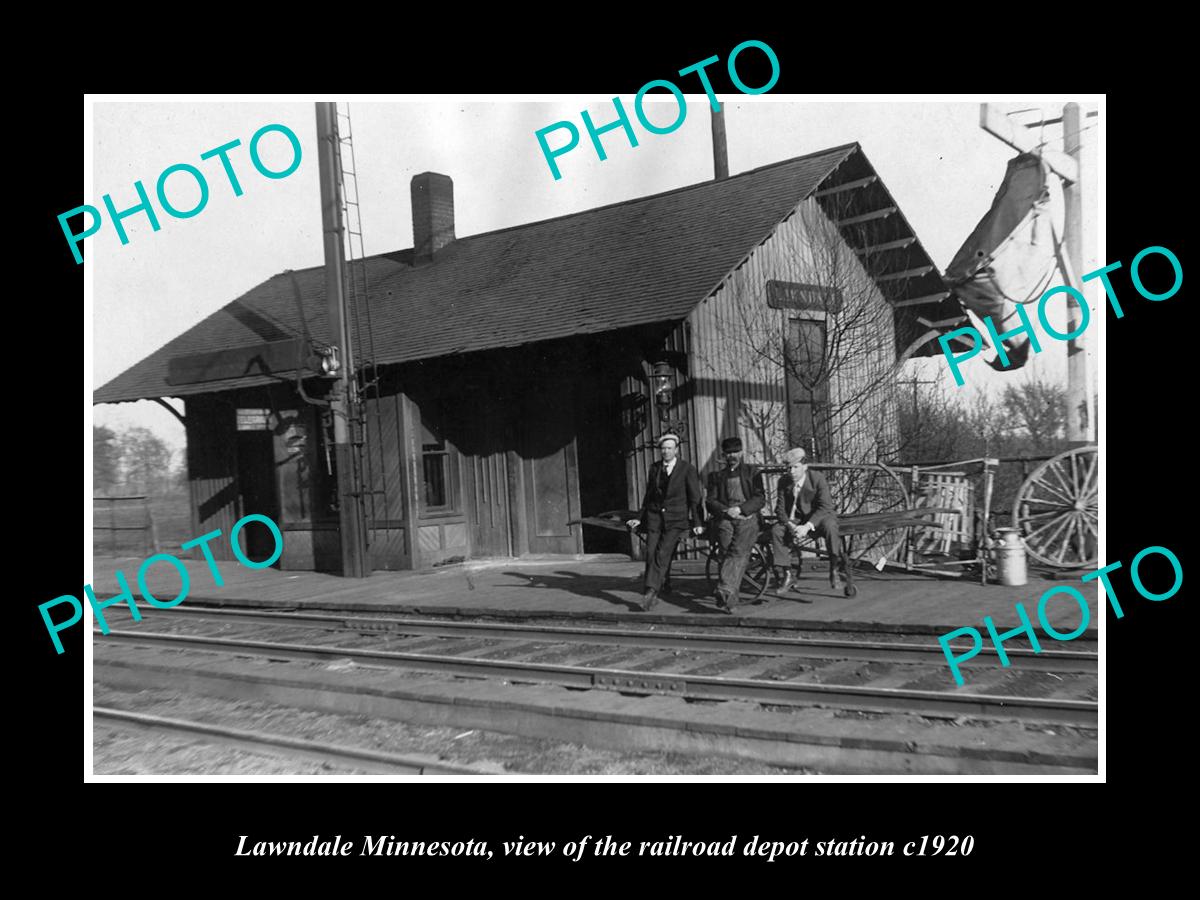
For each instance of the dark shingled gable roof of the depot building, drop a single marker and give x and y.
(638, 262)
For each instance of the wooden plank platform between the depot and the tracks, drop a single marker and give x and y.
(610, 586)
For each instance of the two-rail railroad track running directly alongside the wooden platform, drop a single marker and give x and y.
(479, 650)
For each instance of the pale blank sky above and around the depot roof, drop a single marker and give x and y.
(940, 166)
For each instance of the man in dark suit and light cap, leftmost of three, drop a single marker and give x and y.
(674, 497)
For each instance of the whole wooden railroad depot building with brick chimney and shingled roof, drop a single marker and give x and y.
(524, 376)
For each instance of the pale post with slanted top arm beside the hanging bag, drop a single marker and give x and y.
(1066, 165)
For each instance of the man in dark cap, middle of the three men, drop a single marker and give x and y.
(736, 495)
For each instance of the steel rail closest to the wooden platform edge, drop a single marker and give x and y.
(749, 645)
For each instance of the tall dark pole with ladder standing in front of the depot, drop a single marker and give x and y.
(343, 398)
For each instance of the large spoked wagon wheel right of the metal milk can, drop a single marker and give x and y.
(1057, 511)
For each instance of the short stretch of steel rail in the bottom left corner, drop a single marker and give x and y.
(261, 742)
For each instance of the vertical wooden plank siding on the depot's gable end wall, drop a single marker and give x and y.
(737, 373)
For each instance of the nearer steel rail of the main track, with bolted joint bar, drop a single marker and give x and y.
(632, 682)
